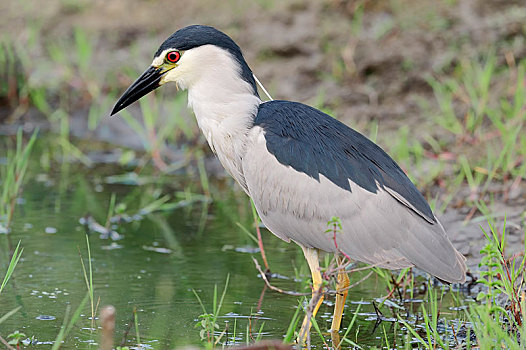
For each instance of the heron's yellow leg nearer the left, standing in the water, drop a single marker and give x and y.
(312, 259)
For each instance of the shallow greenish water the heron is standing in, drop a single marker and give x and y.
(161, 258)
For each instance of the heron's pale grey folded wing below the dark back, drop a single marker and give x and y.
(377, 228)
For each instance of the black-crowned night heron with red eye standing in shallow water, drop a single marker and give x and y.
(300, 166)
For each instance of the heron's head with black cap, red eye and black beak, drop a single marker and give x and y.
(191, 56)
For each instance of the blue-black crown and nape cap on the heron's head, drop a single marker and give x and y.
(197, 35)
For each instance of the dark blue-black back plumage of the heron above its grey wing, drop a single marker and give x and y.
(314, 143)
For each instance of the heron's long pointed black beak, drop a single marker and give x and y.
(147, 82)
